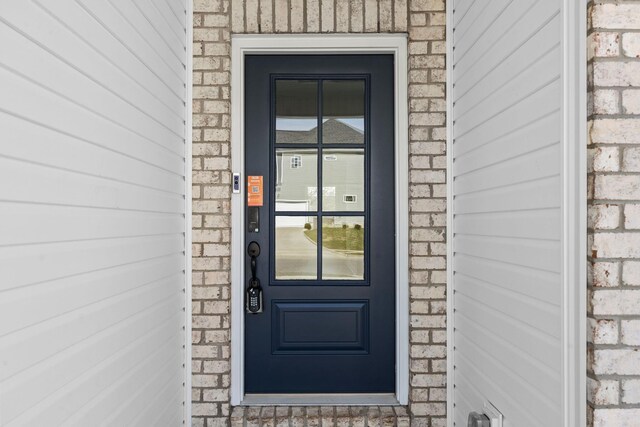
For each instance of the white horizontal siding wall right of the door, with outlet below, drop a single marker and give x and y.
(507, 156)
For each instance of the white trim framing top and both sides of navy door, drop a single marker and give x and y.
(395, 44)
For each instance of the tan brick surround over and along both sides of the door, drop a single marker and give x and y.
(214, 20)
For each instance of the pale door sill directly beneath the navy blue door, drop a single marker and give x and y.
(334, 399)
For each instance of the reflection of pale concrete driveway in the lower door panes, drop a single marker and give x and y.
(296, 258)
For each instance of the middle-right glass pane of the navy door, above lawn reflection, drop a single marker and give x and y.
(343, 180)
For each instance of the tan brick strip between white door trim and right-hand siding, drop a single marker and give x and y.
(427, 192)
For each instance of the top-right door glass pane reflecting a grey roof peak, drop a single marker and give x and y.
(343, 112)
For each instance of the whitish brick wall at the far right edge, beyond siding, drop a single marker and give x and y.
(614, 214)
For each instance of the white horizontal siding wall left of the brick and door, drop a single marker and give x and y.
(92, 213)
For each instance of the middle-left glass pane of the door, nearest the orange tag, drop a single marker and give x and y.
(296, 179)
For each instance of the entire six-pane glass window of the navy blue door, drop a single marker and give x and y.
(342, 182)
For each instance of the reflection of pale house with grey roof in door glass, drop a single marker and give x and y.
(342, 171)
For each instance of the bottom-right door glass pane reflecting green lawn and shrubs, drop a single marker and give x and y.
(343, 248)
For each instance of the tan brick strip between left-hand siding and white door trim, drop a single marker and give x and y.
(211, 212)
